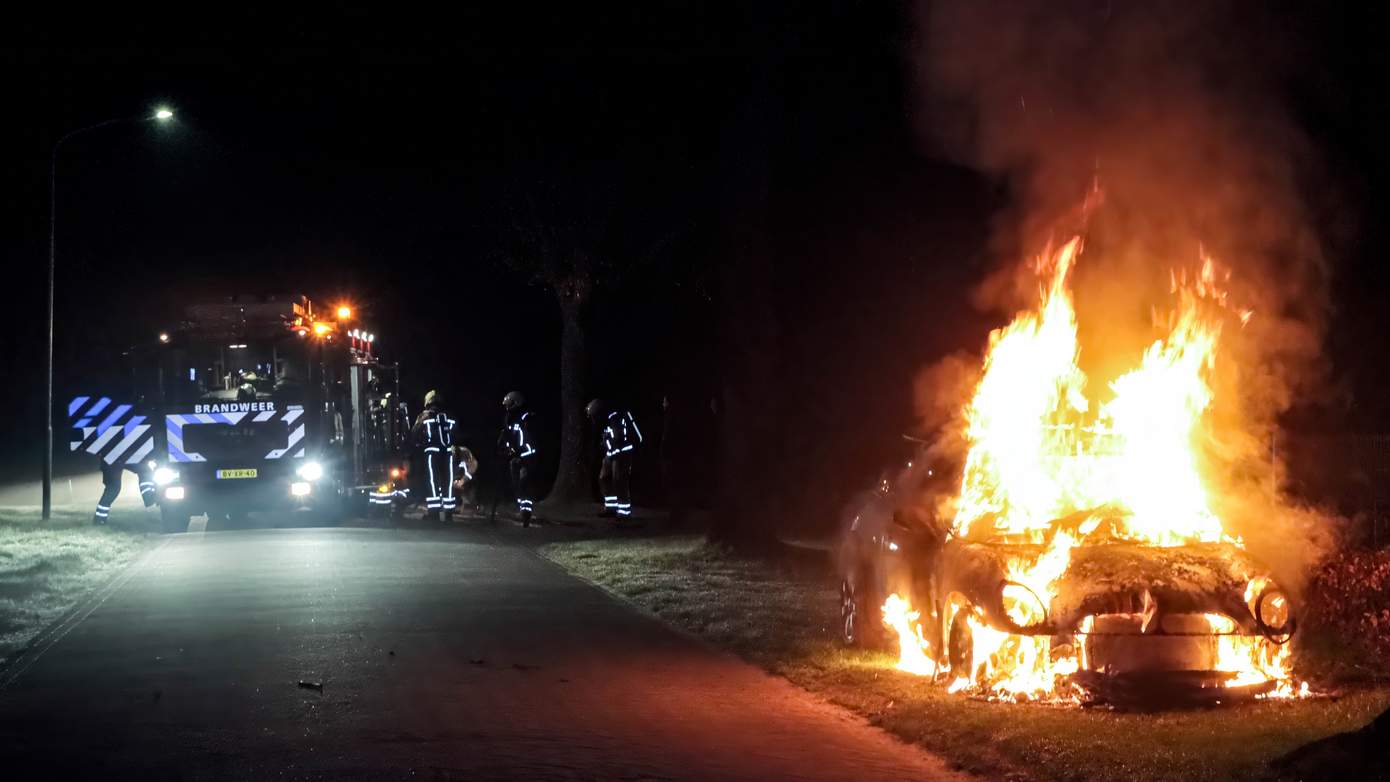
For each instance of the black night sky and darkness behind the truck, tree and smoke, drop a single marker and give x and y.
(369, 155)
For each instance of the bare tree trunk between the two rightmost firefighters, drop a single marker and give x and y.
(575, 480)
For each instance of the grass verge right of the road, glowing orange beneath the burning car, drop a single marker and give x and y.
(787, 624)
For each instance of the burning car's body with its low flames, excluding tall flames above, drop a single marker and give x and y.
(1121, 622)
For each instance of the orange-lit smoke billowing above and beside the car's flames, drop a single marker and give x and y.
(1161, 128)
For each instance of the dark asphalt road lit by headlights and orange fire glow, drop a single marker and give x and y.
(444, 655)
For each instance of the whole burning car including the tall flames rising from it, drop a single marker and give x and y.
(1074, 551)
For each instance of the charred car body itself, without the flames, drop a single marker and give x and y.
(1136, 616)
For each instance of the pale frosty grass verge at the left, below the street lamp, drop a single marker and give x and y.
(48, 567)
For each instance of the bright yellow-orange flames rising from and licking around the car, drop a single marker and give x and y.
(1042, 448)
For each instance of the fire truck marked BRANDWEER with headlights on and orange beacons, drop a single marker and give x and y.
(270, 405)
